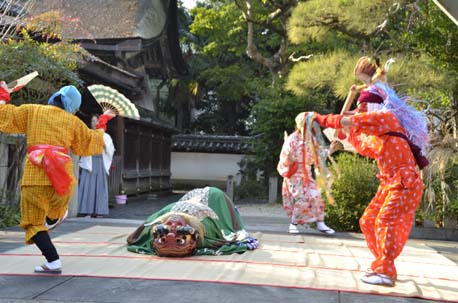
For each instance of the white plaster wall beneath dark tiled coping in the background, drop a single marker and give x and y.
(204, 166)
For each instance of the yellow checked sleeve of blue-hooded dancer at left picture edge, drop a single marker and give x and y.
(13, 119)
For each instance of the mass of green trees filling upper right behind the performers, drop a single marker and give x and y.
(416, 34)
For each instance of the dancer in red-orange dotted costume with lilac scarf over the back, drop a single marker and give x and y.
(393, 133)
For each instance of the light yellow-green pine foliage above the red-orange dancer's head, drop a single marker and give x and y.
(340, 37)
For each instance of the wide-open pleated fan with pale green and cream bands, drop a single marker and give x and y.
(109, 98)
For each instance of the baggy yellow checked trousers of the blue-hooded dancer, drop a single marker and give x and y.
(37, 202)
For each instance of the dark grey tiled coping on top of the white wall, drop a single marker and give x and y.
(211, 144)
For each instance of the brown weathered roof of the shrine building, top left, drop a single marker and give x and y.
(108, 19)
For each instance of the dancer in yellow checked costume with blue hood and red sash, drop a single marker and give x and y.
(48, 182)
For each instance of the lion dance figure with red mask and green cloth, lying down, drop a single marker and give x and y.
(203, 222)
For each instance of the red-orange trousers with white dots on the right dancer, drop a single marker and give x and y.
(387, 221)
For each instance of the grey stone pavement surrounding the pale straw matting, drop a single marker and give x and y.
(264, 218)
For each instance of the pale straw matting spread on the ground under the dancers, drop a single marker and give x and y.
(299, 261)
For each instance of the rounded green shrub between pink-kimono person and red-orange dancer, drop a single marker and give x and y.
(352, 191)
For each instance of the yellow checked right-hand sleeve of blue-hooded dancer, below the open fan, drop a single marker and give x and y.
(86, 142)
